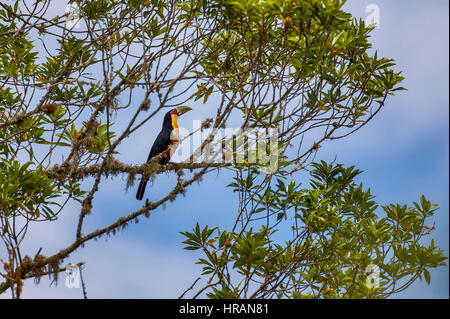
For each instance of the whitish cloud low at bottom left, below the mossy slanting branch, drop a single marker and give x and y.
(123, 268)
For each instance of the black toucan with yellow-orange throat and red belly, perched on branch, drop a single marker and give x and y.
(164, 141)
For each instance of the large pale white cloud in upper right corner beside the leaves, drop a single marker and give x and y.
(416, 36)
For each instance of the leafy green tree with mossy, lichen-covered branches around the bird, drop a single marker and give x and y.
(76, 86)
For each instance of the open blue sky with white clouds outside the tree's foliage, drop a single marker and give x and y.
(404, 152)
